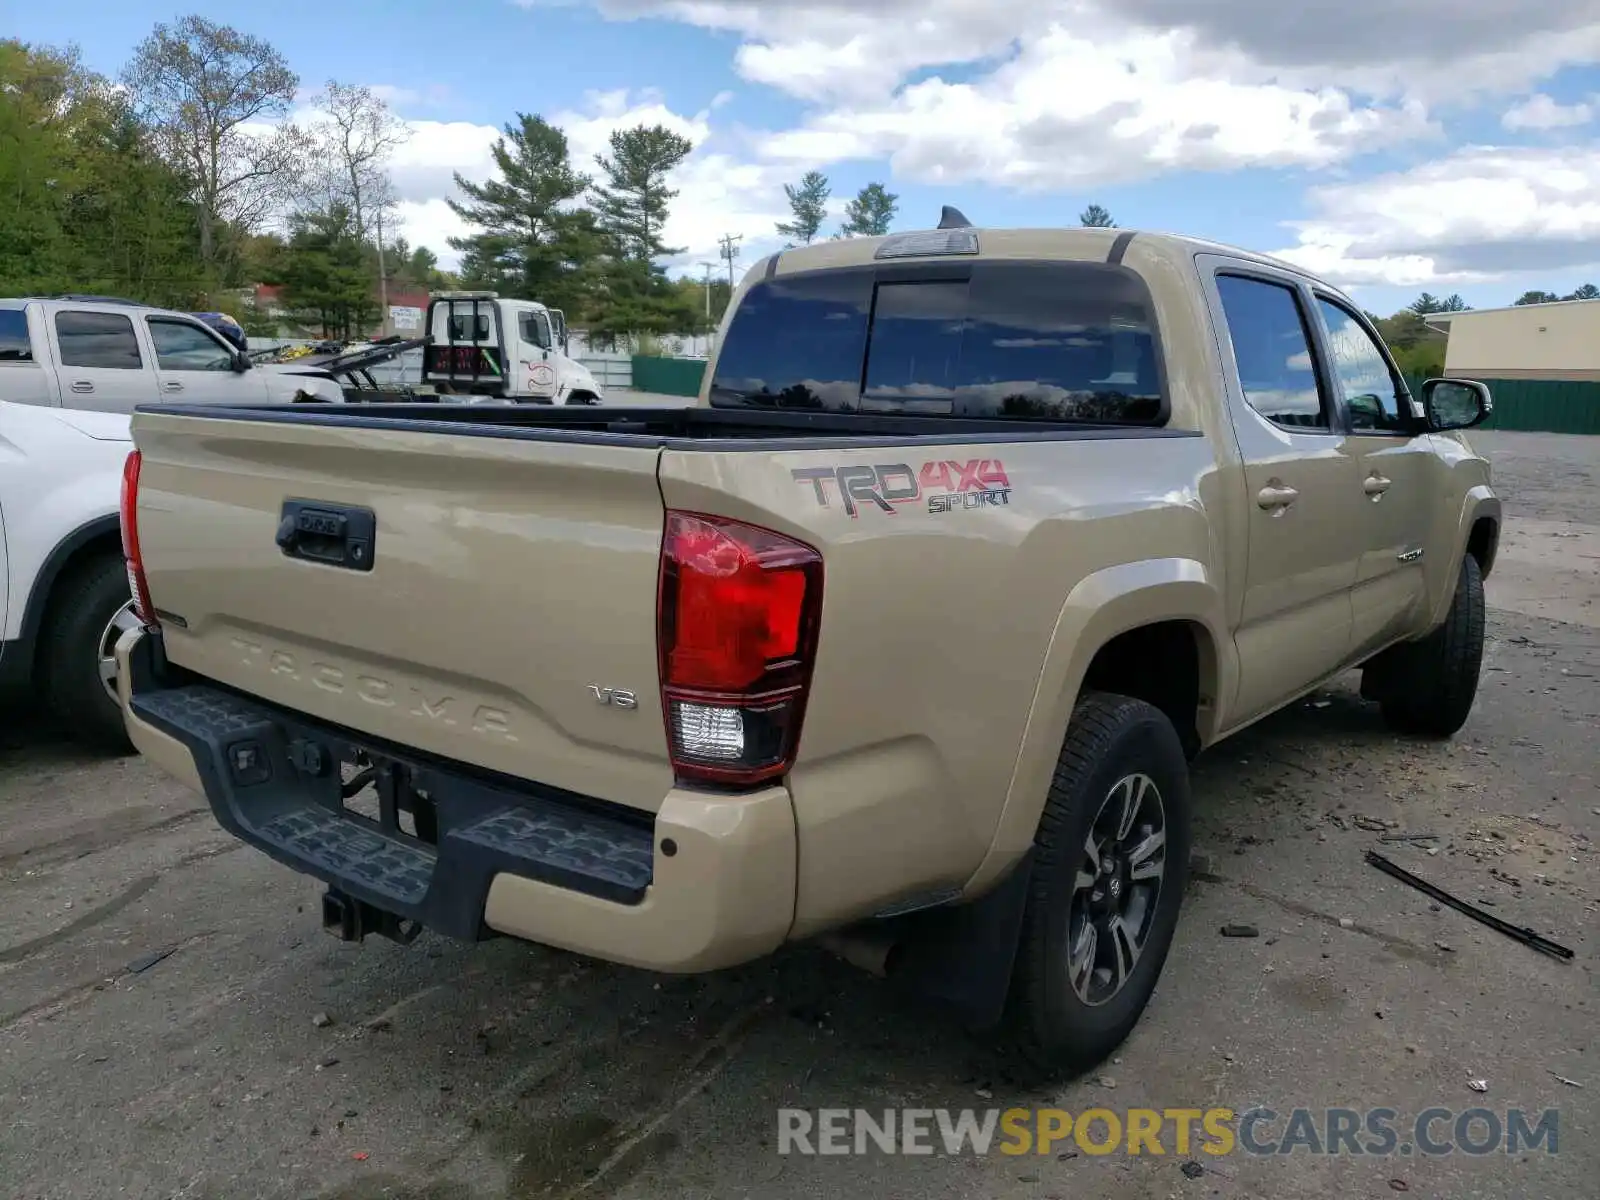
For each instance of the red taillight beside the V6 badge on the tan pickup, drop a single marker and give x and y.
(738, 618)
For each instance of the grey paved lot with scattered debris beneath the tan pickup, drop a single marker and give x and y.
(174, 1023)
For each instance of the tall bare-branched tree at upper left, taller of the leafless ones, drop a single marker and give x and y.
(212, 95)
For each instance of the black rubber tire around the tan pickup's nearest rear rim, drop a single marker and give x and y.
(1055, 1028)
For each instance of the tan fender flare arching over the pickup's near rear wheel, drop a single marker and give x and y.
(1102, 607)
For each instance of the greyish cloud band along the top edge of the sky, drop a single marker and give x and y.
(818, 49)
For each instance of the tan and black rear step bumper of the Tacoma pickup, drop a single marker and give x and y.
(706, 882)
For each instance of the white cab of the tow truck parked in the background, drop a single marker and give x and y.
(484, 348)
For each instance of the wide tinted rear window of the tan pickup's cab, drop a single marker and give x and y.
(1028, 342)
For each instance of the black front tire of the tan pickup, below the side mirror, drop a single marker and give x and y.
(1428, 687)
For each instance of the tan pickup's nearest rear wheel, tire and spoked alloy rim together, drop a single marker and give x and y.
(1110, 871)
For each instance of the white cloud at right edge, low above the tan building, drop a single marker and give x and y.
(1476, 215)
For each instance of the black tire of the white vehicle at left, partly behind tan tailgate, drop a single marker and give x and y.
(82, 609)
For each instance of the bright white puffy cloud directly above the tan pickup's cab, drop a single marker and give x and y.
(1135, 108)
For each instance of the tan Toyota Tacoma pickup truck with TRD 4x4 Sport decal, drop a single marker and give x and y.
(902, 638)
